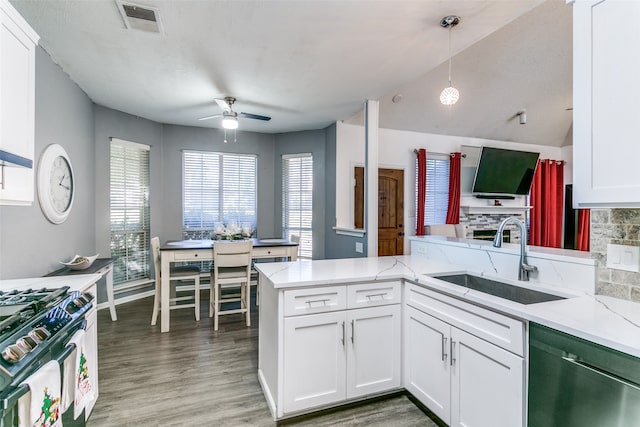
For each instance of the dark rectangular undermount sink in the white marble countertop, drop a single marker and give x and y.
(499, 289)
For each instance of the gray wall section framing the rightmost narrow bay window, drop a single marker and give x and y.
(296, 143)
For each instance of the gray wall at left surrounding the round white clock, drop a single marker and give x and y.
(31, 246)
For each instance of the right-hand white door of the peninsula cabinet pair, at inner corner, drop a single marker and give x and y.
(373, 350)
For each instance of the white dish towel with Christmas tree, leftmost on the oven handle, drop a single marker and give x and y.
(44, 404)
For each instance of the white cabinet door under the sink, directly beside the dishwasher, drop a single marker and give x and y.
(487, 384)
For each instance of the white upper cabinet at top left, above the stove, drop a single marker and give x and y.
(18, 43)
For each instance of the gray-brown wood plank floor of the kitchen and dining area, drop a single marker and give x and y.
(195, 376)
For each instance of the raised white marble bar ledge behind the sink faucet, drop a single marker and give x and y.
(566, 255)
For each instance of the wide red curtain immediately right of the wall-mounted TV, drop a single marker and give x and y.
(547, 203)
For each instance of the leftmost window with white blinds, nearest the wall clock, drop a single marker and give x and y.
(129, 211)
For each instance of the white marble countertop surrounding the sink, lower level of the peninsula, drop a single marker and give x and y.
(604, 320)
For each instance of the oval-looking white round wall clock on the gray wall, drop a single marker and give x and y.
(56, 184)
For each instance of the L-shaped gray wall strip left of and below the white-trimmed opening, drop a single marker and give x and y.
(336, 246)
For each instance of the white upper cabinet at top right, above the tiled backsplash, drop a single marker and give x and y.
(606, 116)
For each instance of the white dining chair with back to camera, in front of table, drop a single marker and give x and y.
(231, 272)
